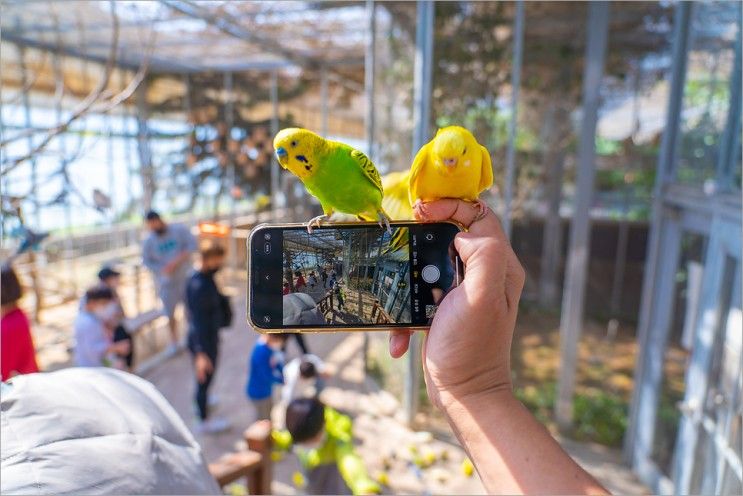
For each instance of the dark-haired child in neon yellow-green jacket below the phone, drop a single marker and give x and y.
(322, 439)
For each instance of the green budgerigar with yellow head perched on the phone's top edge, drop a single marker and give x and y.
(341, 177)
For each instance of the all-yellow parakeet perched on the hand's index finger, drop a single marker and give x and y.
(452, 165)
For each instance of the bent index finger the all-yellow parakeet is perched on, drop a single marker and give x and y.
(462, 212)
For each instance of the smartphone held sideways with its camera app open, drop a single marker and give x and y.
(349, 276)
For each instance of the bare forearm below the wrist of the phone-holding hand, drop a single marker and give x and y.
(512, 451)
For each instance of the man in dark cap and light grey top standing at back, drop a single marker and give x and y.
(167, 253)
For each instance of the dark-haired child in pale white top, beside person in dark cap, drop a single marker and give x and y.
(93, 343)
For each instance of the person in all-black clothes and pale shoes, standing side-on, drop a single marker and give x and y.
(208, 311)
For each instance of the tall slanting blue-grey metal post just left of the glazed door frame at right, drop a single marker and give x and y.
(639, 438)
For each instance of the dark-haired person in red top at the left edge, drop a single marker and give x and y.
(17, 354)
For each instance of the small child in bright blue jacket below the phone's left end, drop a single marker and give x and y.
(266, 369)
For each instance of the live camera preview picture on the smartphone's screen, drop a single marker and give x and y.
(346, 277)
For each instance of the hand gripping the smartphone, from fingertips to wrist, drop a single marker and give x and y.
(467, 350)
